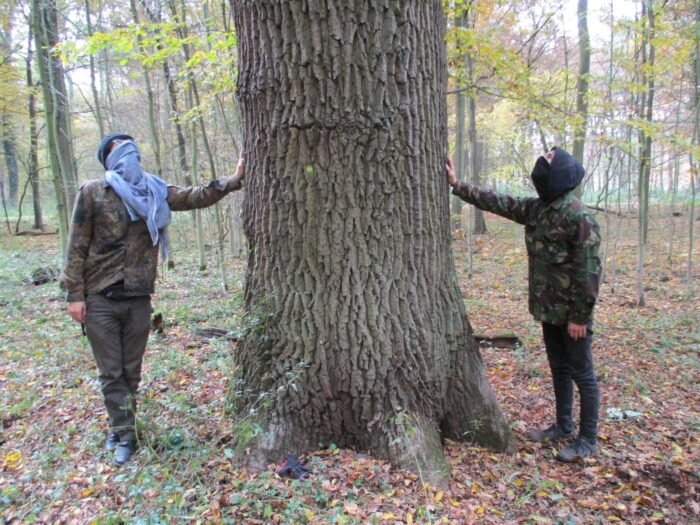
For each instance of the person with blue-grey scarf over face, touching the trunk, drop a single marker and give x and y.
(110, 269)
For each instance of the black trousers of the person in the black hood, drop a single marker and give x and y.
(572, 362)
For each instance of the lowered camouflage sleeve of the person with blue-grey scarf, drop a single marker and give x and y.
(79, 238)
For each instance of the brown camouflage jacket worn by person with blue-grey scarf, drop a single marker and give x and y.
(105, 246)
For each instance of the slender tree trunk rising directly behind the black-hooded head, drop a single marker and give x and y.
(584, 68)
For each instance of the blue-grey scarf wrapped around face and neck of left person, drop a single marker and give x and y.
(144, 194)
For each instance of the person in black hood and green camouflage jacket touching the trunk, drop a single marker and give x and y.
(562, 240)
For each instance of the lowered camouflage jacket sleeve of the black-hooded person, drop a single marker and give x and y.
(585, 277)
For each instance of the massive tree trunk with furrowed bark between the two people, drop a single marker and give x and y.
(358, 333)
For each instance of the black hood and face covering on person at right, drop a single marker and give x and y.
(554, 180)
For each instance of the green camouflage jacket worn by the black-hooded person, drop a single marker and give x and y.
(562, 240)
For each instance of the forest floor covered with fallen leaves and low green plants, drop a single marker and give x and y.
(53, 469)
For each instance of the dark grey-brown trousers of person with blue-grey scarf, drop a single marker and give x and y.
(118, 332)
